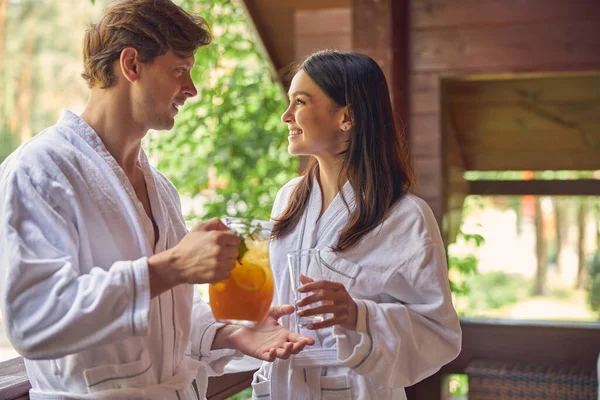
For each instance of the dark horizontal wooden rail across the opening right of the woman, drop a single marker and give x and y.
(580, 187)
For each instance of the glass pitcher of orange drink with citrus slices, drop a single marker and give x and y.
(245, 297)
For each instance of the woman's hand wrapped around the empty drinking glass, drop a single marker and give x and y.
(334, 299)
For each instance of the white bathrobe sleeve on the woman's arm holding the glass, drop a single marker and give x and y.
(412, 329)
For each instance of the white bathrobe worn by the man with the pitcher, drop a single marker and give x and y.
(74, 289)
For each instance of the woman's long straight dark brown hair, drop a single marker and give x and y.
(375, 160)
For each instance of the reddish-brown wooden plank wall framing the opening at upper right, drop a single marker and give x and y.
(454, 38)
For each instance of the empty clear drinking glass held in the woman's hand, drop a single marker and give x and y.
(304, 262)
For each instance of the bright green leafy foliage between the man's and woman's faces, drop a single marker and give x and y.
(233, 126)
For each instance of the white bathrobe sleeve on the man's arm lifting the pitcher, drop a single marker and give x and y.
(50, 308)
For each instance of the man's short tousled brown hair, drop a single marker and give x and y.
(152, 27)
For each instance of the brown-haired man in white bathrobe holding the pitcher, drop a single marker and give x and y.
(96, 265)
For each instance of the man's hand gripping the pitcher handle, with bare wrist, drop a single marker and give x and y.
(205, 255)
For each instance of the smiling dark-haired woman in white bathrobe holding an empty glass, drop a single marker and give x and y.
(385, 288)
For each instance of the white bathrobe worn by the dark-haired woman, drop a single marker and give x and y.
(407, 327)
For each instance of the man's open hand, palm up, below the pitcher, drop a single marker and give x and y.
(267, 341)
